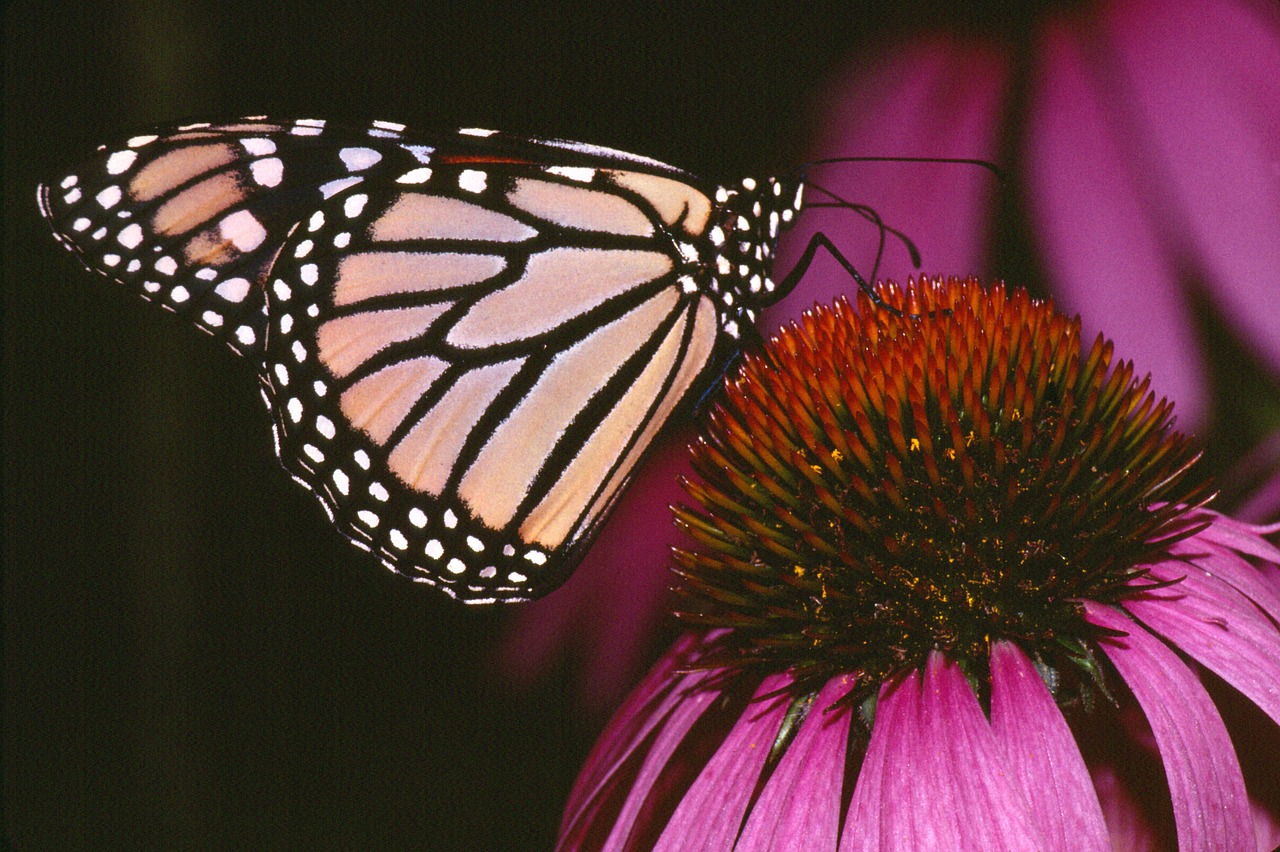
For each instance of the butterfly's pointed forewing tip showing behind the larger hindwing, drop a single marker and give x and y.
(193, 217)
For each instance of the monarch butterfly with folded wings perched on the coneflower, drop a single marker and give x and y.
(467, 341)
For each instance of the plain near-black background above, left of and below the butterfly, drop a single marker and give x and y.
(194, 659)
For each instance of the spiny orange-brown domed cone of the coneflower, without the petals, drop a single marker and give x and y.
(940, 474)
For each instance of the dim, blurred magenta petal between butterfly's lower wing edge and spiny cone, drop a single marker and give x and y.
(616, 598)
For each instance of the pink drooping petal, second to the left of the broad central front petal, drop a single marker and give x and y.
(711, 814)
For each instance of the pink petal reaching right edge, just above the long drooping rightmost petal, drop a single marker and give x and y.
(1214, 624)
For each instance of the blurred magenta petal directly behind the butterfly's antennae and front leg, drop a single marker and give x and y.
(936, 98)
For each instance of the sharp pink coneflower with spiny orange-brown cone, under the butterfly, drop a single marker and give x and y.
(954, 589)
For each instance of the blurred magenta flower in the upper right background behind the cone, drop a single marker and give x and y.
(1141, 136)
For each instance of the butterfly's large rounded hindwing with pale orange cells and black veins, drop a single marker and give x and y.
(468, 364)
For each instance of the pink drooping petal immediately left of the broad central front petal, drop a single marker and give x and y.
(802, 800)
